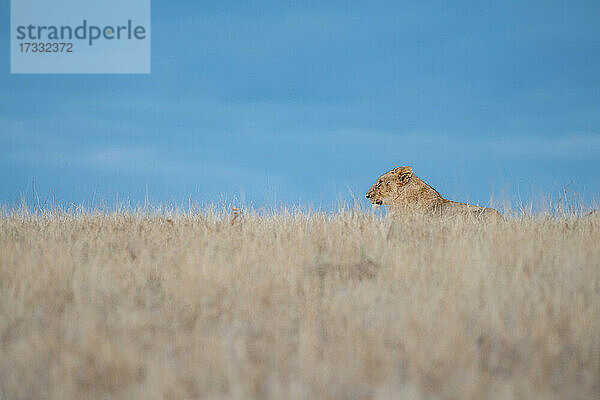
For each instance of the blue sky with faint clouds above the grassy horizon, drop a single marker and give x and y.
(309, 102)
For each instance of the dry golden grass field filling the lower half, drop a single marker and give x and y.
(298, 305)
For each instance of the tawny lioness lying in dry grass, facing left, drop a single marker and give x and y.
(401, 189)
